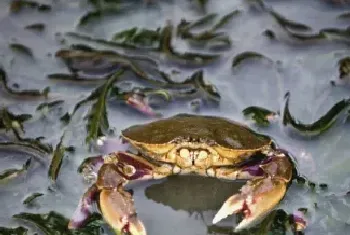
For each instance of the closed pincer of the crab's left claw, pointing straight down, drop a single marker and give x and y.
(118, 211)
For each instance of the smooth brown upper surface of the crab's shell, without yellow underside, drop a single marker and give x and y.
(211, 129)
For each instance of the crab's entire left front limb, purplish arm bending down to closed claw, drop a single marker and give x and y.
(115, 203)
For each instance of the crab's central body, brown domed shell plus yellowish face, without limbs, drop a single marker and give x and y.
(196, 142)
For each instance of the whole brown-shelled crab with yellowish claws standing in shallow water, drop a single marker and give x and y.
(185, 144)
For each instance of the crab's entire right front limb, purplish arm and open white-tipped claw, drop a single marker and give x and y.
(261, 194)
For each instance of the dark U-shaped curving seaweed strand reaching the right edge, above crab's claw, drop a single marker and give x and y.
(321, 125)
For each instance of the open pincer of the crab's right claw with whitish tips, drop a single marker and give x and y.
(257, 198)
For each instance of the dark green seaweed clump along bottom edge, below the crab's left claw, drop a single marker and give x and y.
(55, 223)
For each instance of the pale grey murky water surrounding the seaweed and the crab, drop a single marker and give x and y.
(304, 68)
